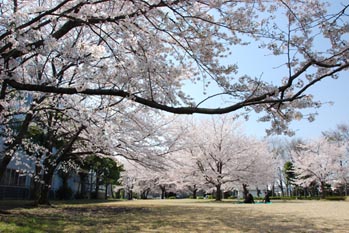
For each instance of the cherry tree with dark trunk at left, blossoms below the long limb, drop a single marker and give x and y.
(69, 132)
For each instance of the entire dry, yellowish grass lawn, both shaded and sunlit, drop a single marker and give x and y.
(177, 216)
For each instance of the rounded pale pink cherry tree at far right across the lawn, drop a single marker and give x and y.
(318, 161)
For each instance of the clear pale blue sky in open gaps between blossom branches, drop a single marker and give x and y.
(257, 63)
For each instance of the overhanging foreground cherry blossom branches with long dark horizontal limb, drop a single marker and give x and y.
(145, 51)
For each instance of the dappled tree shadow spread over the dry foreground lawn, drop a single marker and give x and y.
(156, 218)
